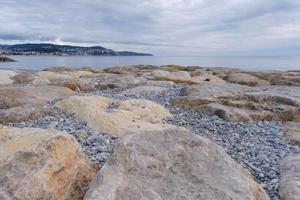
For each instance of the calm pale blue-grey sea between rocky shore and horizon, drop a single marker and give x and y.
(247, 63)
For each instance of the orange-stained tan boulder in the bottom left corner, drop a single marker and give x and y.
(42, 164)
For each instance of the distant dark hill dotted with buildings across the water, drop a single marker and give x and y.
(63, 50)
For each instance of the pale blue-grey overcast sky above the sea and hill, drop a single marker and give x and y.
(161, 27)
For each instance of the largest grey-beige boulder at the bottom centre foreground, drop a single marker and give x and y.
(172, 164)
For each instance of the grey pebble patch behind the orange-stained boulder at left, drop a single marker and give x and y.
(98, 146)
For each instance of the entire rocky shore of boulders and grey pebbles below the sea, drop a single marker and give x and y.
(149, 132)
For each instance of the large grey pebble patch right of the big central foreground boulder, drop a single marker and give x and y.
(258, 146)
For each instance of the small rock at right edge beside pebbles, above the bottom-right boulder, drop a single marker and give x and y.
(291, 130)
